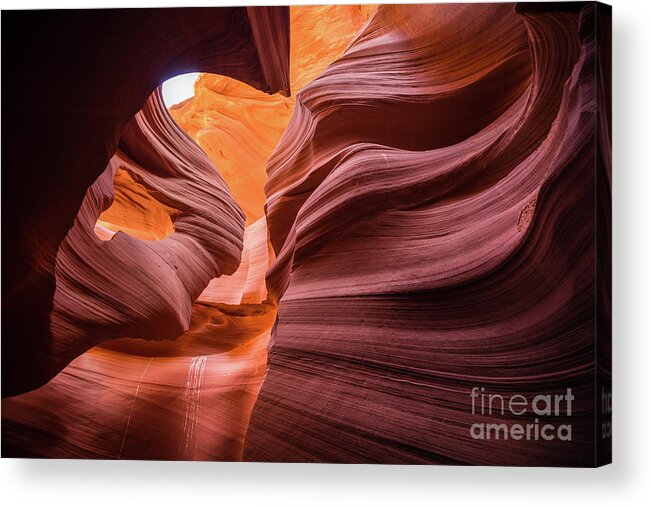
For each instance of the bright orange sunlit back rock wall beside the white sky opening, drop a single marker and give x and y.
(239, 126)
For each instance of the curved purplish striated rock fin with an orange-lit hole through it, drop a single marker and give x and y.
(144, 289)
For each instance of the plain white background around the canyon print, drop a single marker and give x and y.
(627, 481)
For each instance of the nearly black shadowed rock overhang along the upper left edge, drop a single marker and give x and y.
(101, 66)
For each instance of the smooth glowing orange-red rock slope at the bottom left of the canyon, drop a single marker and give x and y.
(187, 399)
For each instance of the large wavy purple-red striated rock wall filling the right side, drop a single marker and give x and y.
(431, 205)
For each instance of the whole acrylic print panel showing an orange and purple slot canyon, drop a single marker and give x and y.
(346, 234)
